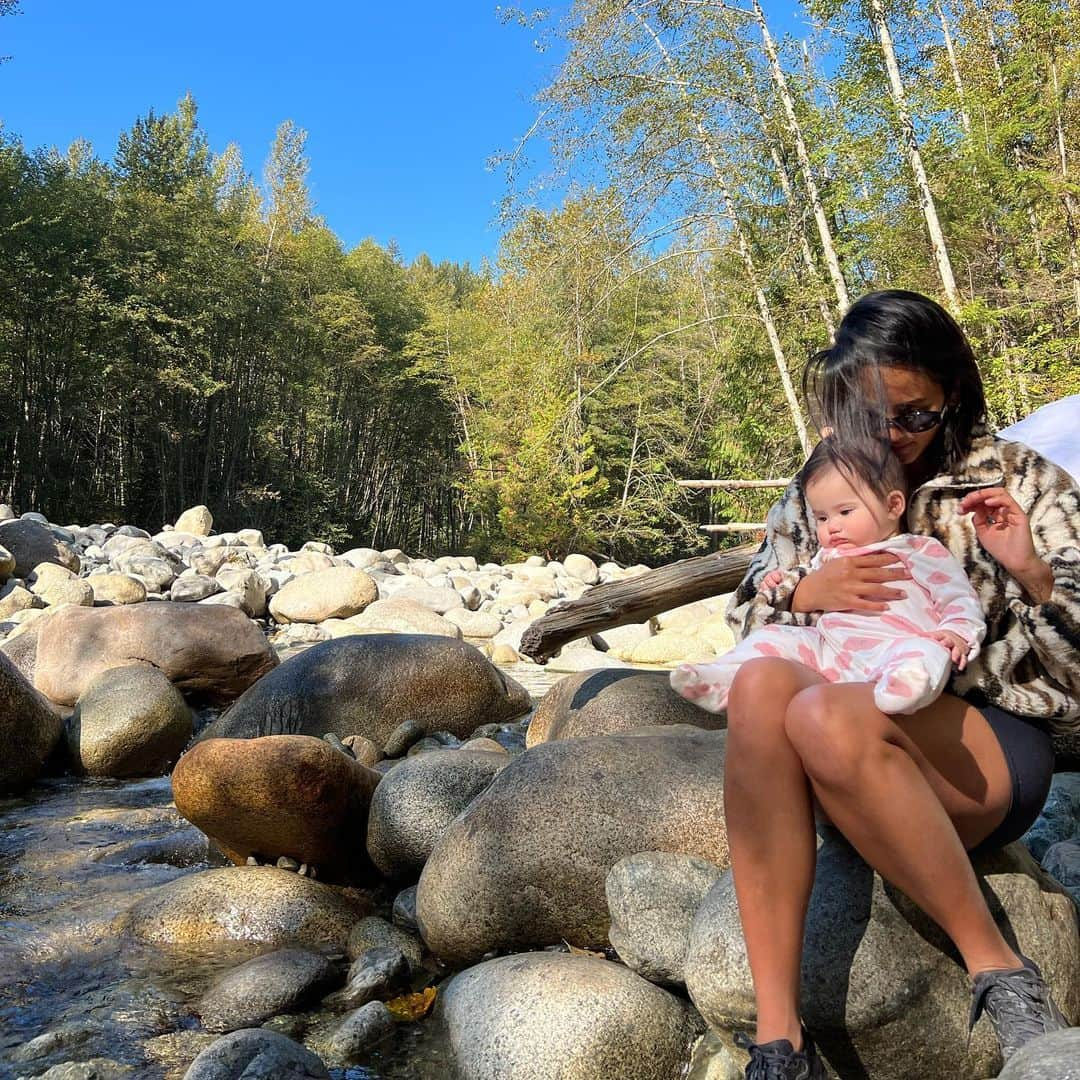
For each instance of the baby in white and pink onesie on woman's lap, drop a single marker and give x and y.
(908, 652)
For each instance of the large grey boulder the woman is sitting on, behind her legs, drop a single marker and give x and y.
(879, 975)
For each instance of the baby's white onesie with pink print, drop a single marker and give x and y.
(889, 650)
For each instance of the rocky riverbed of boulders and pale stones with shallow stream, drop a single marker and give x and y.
(304, 814)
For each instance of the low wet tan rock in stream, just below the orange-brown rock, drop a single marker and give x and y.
(256, 904)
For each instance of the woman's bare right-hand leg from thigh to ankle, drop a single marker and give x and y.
(911, 794)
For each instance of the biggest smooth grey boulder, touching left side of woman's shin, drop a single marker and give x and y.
(525, 865)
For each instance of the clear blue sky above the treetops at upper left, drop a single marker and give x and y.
(403, 102)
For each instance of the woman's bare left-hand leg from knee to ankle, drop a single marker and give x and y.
(769, 814)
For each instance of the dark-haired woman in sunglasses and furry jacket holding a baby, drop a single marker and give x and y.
(912, 794)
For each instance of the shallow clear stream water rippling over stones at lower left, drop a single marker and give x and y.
(74, 985)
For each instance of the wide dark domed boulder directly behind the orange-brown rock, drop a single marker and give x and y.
(369, 685)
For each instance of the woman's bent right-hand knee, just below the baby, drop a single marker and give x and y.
(831, 734)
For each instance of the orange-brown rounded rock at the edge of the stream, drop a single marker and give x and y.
(281, 795)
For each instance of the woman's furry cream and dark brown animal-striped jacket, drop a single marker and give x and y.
(1031, 658)
